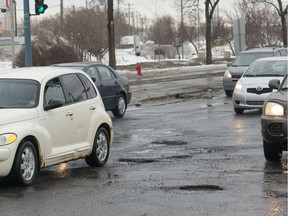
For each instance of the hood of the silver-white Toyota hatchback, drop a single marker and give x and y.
(254, 82)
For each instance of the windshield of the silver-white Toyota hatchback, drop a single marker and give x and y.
(267, 68)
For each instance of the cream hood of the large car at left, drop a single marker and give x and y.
(8, 116)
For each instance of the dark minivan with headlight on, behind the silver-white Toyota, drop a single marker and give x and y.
(243, 60)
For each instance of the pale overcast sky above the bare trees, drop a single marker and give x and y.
(147, 8)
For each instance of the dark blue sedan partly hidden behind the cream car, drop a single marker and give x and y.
(113, 87)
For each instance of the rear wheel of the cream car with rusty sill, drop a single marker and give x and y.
(100, 151)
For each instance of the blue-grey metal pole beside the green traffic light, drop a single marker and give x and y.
(27, 33)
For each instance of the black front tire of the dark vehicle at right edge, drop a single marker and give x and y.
(272, 151)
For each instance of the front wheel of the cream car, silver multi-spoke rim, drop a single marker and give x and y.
(25, 166)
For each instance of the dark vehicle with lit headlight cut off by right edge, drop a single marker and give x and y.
(274, 121)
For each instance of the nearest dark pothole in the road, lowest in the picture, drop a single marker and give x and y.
(208, 188)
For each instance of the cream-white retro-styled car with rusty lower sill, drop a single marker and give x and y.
(49, 116)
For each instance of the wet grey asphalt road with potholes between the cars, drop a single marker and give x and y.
(169, 157)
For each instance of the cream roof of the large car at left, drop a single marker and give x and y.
(37, 73)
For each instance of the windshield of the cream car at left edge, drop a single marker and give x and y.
(18, 93)
